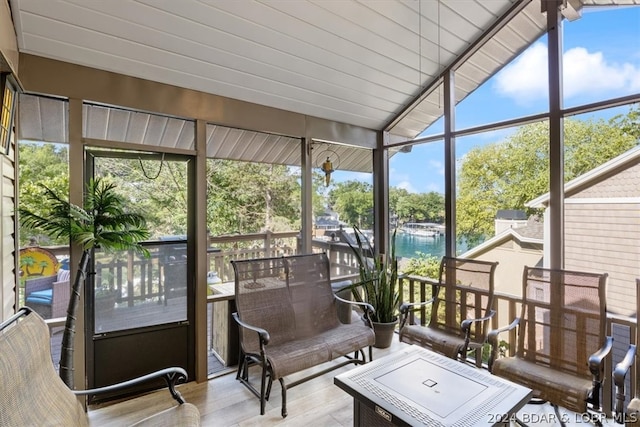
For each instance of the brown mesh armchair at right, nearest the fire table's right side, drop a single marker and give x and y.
(561, 341)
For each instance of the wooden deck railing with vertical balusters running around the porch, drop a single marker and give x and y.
(138, 278)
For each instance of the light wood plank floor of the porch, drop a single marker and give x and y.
(225, 402)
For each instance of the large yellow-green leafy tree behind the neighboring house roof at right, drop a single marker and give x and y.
(508, 174)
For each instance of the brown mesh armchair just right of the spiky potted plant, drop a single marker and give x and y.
(461, 308)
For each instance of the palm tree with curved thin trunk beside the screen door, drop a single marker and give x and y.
(103, 222)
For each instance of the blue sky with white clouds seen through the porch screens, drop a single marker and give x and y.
(601, 61)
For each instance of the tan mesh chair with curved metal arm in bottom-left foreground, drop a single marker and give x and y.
(34, 395)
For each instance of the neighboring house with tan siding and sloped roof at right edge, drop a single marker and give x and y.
(602, 226)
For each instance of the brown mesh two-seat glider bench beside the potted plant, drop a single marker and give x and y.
(288, 321)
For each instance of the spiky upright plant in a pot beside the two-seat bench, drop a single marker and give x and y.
(378, 286)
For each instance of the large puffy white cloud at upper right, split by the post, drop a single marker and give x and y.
(584, 73)
